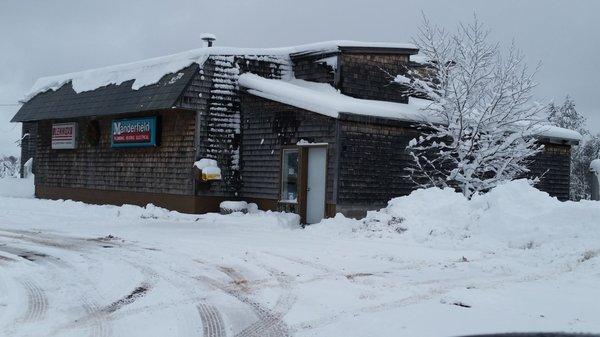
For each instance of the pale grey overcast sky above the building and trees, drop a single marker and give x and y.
(41, 38)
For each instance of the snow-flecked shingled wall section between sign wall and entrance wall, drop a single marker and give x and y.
(214, 94)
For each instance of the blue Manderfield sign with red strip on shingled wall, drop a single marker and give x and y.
(133, 132)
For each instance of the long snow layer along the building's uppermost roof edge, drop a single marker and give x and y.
(150, 71)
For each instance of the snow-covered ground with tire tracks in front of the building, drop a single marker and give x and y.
(431, 264)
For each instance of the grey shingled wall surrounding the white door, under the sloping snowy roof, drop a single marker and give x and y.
(267, 127)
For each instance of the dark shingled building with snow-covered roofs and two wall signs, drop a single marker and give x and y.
(314, 129)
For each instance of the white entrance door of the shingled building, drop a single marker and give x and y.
(315, 185)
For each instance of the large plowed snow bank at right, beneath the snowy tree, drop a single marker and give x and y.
(512, 216)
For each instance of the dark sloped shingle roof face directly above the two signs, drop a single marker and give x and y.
(111, 99)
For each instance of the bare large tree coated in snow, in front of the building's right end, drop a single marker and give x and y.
(481, 111)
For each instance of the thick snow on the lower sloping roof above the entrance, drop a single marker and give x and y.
(324, 99)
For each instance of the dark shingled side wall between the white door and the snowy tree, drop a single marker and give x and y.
(372, 163)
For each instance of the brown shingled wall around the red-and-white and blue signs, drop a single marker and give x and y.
(166, 168)
